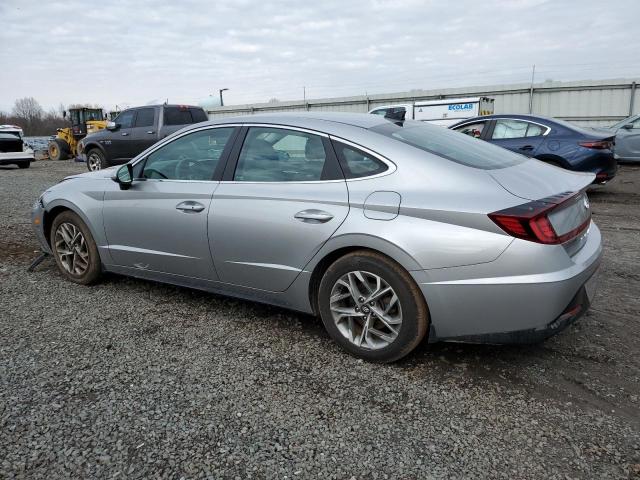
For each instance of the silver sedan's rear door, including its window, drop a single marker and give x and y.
(285, 198)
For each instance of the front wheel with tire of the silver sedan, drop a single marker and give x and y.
(74, 249)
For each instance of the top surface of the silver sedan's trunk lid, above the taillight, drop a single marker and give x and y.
(534, 180)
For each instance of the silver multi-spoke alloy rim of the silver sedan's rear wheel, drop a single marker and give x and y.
(366, 310)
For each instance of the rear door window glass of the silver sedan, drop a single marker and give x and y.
(280, 155)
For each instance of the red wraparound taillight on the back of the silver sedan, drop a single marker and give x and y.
(552, 221)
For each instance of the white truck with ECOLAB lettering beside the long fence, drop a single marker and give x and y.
(440, 112)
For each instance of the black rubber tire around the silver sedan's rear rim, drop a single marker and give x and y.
(414, 311)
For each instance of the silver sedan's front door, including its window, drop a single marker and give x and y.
(160, 223)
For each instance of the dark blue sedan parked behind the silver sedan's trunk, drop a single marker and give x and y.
(548, 139)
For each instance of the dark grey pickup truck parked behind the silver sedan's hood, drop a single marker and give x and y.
(133, 131)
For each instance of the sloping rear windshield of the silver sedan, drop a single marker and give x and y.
(452, 145)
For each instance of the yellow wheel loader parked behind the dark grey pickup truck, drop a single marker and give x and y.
(84, 121)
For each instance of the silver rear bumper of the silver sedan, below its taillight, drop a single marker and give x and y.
(495, 303)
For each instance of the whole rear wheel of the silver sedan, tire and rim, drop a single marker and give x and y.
(372, 307)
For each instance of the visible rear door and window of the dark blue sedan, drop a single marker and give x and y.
(519, 136)
